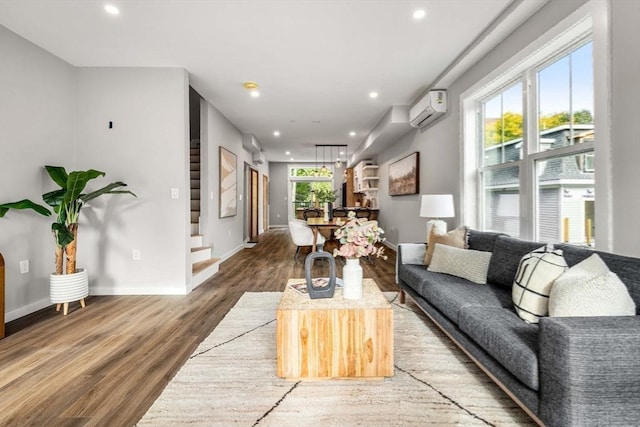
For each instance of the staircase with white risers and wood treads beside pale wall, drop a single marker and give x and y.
(203, 266)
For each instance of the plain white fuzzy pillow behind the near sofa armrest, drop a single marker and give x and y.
(590, 289)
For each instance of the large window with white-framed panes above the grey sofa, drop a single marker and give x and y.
(533, 136)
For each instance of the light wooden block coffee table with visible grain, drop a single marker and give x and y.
(334, 337)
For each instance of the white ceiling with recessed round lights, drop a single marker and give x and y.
(315, 61)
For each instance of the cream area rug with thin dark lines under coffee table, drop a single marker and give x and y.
(230, 380)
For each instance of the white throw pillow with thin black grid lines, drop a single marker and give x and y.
(531, 287)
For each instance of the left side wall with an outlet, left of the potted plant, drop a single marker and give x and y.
(36, 113)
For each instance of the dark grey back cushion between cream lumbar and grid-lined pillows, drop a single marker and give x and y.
(506, 256)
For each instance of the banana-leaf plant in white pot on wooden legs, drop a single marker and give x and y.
(68, 283)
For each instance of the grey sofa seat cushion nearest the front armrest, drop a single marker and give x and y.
(509, 340)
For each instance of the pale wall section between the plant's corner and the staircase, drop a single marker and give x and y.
(148, 149)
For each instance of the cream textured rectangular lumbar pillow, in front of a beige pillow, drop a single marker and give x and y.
(466, 263)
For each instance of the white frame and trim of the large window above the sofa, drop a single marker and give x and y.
(580, 27)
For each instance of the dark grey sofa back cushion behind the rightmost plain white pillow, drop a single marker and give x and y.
(627, 268)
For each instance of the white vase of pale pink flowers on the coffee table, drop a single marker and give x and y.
(357, 237)
